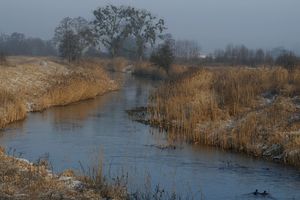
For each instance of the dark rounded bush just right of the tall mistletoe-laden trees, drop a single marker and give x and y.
(163, 56)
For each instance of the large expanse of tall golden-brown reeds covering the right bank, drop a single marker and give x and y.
(256, 111)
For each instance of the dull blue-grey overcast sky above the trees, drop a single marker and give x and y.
(213, 23)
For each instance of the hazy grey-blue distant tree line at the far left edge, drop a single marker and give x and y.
(19, 44)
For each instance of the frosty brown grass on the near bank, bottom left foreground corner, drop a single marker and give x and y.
(21, 179)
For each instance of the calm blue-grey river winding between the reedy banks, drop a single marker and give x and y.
(100, 129)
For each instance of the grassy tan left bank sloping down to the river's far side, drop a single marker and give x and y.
(29, 84)
